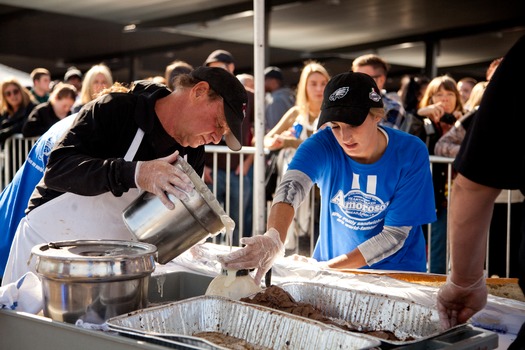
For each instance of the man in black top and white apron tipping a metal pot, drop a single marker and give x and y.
(119, 144)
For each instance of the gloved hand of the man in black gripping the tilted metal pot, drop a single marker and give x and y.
(161, 178)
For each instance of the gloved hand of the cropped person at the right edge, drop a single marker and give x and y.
(457, 304)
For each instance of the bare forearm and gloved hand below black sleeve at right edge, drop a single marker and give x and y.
(465, 292)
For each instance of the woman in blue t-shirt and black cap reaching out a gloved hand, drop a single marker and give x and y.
(375, 182)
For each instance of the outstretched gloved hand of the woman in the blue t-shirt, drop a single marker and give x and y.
(260, 252)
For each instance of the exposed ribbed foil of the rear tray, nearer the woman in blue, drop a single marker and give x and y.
(409, 321)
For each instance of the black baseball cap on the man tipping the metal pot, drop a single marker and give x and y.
(234, 95)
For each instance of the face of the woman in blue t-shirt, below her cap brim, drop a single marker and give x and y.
(359, 142)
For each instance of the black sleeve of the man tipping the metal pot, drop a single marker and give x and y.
(89, 159)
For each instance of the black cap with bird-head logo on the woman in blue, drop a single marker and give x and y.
(348, 98)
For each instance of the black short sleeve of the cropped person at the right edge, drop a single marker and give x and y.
(493, 151)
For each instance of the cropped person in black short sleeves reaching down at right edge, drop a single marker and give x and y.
(491, 158)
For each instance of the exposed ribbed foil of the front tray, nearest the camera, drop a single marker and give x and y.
(257, 325)
